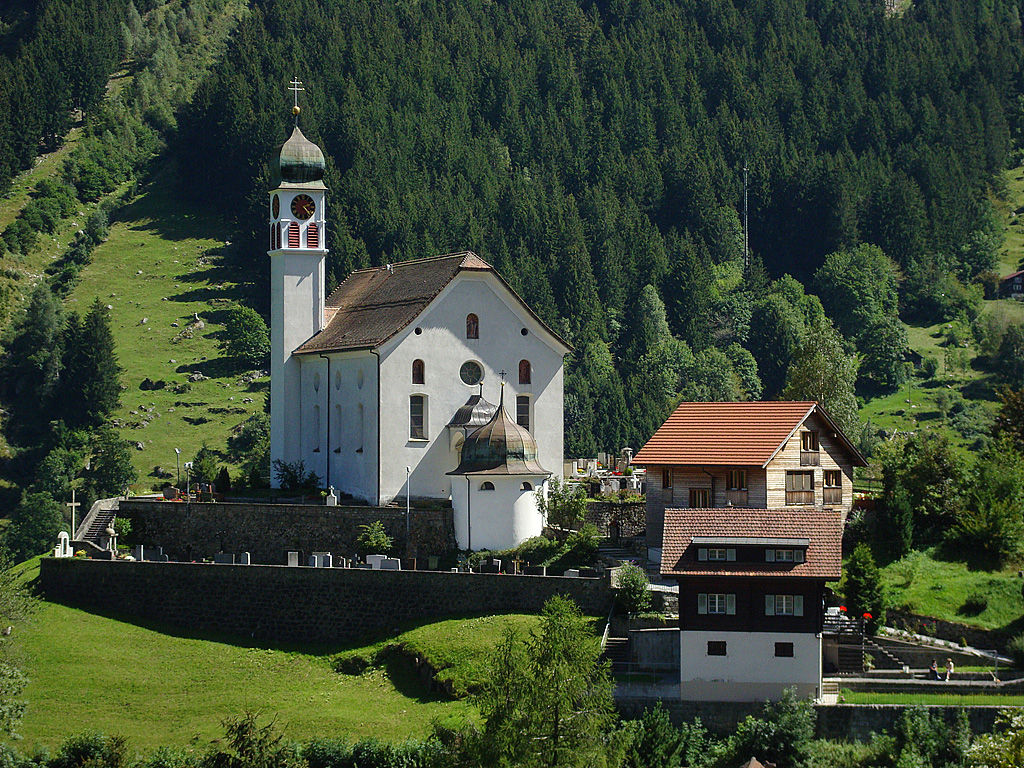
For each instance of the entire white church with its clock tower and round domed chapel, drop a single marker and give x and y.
(378, 387)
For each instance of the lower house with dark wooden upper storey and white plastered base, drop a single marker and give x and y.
(752, 588)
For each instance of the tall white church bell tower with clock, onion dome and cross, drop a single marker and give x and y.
(297, 251)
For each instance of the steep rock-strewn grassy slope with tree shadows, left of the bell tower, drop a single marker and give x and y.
(163, 265)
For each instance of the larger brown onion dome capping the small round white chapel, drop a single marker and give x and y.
(500, 448)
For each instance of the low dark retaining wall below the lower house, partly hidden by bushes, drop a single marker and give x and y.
(841, 722)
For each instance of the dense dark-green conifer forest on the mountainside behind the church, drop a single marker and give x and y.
(593, 152)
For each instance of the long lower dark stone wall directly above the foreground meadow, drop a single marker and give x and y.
(301, 605)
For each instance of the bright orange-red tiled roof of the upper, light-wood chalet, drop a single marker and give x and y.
(731, 434)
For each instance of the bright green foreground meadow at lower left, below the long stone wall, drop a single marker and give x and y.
(162, 688)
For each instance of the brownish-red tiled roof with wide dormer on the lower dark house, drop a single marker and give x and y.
(823, 528)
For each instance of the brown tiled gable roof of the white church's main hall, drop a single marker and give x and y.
(372, 306)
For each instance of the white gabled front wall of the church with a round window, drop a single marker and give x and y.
(443, 346)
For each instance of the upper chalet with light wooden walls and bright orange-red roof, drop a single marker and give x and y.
(773, 455)
